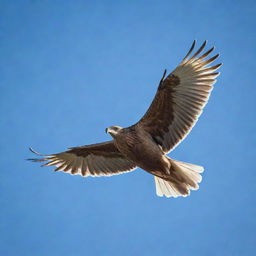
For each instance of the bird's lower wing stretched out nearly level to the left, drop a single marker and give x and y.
(102, 159)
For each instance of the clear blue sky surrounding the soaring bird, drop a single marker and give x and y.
(69, 69)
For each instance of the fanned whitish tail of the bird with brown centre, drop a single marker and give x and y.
(182, 178)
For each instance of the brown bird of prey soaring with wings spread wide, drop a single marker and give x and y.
(175, 109)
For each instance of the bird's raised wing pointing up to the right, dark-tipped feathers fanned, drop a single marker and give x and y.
(180, 99)
